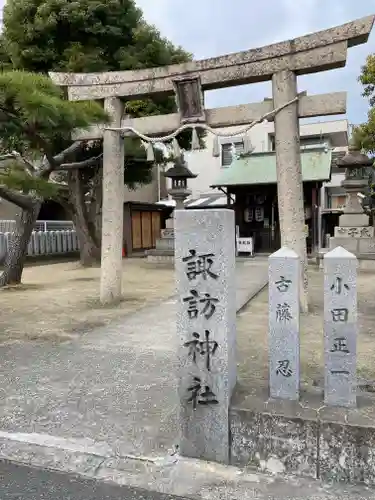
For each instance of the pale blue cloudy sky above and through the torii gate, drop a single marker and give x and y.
(209, 28)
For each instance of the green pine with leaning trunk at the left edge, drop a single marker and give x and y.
(33, 116)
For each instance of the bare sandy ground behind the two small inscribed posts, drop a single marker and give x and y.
(252, 331)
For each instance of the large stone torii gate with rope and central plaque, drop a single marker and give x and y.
(281, 62)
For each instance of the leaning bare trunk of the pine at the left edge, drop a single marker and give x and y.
(15, 259)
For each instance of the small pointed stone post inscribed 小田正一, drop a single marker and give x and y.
(340, 327)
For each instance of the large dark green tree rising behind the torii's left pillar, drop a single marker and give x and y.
(86, 36)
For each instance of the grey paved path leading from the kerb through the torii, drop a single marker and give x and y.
(110, 394)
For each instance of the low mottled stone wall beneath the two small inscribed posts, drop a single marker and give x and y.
(305, 438)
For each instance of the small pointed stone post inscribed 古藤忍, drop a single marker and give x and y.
(284, 324)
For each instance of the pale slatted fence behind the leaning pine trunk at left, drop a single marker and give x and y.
(44, 242)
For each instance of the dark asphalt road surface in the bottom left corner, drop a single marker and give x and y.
(24, 483)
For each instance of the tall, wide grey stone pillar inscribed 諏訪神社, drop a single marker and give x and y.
(206, 330)
